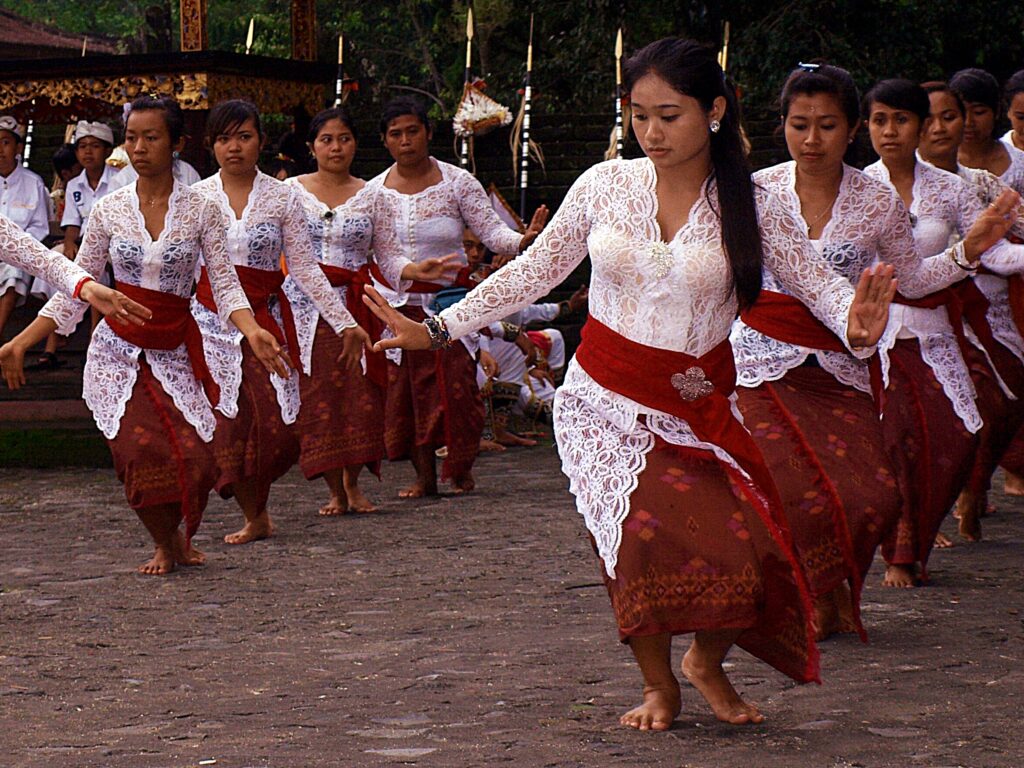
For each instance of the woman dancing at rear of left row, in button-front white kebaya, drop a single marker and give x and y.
(421, 208)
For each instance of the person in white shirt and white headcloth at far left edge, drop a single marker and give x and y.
(24, 200)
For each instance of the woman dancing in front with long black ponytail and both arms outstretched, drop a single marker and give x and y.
(684, 513)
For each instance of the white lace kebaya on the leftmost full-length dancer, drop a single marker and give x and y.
(116, 233)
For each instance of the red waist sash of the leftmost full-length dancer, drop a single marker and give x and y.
(173, 325)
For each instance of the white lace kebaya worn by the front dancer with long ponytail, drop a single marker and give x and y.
(673, 295)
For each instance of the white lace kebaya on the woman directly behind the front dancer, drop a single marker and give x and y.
(869, 225)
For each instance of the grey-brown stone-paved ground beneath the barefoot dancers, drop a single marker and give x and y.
(458, 632)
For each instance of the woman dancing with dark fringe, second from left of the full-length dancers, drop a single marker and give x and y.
(255, 443)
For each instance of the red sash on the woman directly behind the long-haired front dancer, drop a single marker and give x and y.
(786, 319)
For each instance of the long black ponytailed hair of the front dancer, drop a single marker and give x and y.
(694, 71)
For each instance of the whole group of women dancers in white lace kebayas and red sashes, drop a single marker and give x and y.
(782, 372)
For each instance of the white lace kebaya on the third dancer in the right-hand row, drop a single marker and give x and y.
(944, 206)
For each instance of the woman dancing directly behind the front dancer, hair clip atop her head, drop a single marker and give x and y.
(814, 403)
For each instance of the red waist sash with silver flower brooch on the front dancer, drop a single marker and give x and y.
(696, 390)
